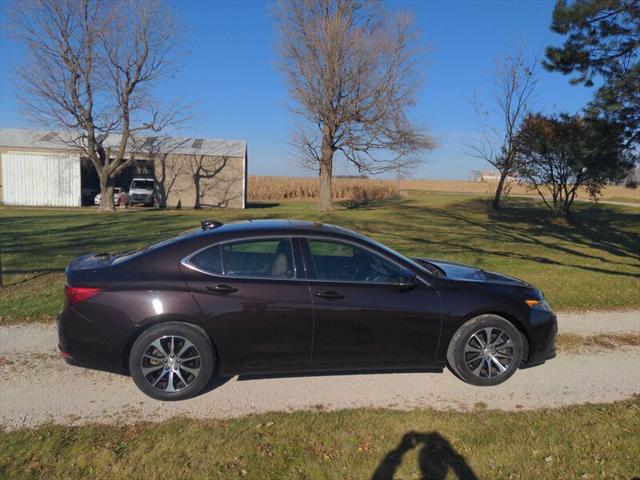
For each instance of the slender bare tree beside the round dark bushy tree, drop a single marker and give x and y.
(514, 82)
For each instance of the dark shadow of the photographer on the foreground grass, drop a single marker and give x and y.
(436, 457)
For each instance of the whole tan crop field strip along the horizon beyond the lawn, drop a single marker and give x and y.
(267, 188)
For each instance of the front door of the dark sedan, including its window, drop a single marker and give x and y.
(363, 316)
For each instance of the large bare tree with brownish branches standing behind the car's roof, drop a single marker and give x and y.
(351, 71)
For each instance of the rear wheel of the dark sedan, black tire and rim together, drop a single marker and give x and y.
(178, 357)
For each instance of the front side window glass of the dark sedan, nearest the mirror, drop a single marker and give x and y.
(338, 261)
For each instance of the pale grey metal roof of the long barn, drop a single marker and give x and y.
(42, 139)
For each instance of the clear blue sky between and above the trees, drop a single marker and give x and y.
(230, 76)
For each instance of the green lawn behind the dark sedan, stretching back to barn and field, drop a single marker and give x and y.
(590, 263)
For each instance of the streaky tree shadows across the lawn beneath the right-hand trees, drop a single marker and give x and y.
(523, 222)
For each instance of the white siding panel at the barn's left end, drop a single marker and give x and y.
(41, 179)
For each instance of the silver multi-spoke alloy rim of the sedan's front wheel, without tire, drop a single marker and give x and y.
(489, 353)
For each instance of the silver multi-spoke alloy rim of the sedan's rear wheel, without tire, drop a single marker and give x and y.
(170, 363)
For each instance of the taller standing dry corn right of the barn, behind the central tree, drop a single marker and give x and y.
(306, 188)
